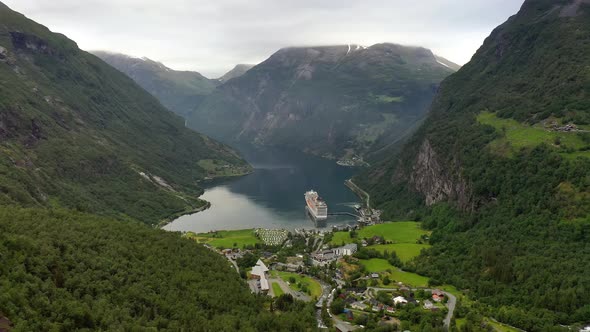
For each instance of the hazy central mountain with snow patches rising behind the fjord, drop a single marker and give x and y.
(334, 101)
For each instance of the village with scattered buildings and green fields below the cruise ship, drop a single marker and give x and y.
(352, 275)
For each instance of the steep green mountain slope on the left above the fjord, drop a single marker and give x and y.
(76, 132)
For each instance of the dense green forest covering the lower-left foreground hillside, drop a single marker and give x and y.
(63, 270)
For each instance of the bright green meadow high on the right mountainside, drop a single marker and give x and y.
(517, 135)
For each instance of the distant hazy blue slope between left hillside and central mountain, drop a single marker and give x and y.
(179, 91)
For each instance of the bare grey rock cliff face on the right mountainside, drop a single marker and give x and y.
(437, 181)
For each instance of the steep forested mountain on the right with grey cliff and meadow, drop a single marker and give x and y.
(500, 170)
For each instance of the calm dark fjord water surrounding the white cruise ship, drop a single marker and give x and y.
(272, 197)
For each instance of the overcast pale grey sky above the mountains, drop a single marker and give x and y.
(212, 36)
